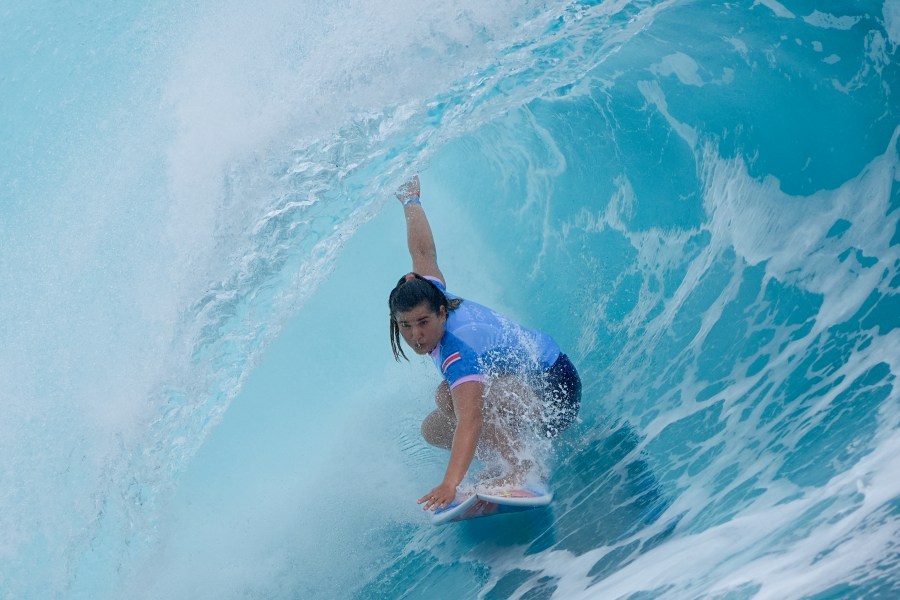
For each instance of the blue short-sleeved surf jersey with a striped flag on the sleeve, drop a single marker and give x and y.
(478, 341)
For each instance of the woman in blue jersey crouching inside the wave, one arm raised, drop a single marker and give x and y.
(486, 360)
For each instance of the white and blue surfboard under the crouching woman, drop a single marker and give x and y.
(493, 502)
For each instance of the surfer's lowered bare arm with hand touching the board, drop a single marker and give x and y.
(467, 404)
